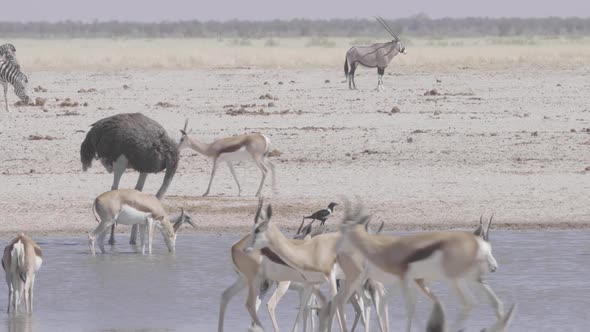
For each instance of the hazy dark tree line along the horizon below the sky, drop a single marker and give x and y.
(415, 26)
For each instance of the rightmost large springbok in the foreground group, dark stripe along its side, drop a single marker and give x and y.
(452, 256)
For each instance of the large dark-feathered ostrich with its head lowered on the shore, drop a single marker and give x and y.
(131, 140)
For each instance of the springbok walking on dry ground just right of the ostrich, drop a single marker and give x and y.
(232, 149)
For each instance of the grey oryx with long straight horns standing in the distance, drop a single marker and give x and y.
(377, 55)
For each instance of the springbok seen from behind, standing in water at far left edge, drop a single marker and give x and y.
(21, 260)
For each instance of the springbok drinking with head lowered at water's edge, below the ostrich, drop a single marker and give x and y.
(130, 207)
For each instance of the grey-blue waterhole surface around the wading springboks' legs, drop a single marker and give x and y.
(545, 272)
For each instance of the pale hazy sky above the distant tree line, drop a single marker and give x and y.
(150, 11)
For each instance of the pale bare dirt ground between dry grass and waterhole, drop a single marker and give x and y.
(514, 143)
